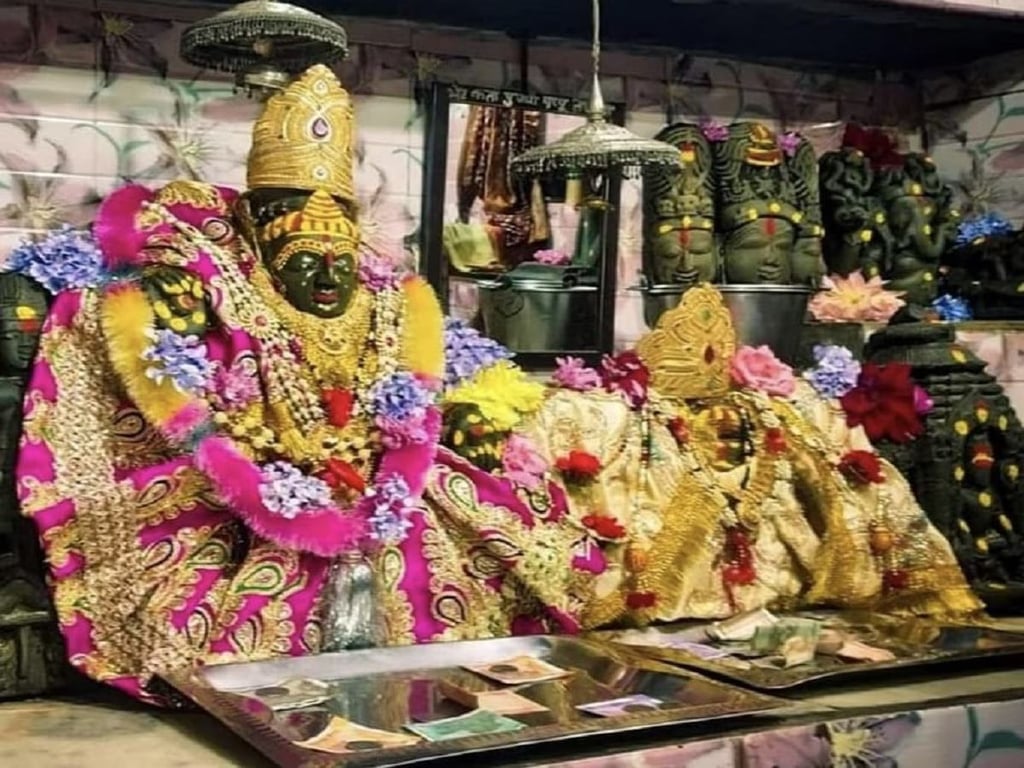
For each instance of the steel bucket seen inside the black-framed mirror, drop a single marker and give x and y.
(540, 317)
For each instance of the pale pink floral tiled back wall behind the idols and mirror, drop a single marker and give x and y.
(83, 107)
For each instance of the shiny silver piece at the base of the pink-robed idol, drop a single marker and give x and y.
(350, 606)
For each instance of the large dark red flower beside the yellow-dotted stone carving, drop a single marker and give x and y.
(883, 403)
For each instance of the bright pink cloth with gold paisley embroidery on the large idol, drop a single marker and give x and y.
(151, 572)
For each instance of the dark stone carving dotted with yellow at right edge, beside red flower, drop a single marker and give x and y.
(966, 470)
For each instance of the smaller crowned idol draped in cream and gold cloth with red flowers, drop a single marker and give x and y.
(726, 485)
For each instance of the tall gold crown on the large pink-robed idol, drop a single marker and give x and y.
(304, 139)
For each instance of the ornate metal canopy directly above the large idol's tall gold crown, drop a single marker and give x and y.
(264, 42)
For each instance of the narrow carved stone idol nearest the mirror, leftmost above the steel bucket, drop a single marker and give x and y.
(679, 214)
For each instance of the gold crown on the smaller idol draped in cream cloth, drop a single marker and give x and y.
(689, 353)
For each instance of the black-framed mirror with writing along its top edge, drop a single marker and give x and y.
(529, 262)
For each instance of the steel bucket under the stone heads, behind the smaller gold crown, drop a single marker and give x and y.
(762, 314)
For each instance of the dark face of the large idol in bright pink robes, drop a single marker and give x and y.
(316, 274)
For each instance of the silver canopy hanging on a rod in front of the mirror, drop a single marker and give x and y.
(599, 145)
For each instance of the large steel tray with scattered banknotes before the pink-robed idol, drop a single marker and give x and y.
(387, 689)
